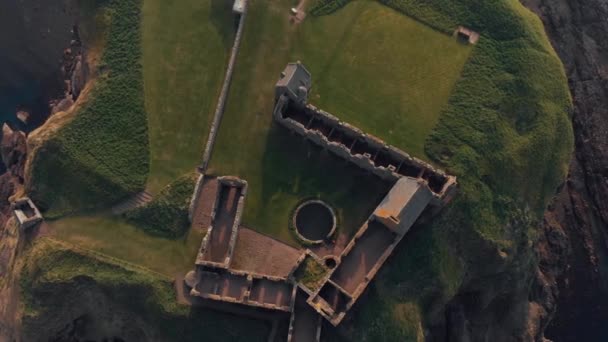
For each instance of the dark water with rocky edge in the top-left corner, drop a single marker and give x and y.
(36, 64)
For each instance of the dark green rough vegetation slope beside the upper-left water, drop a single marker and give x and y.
(102, 154)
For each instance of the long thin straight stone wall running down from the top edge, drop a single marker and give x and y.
(221, 102)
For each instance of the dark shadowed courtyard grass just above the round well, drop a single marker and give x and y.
(294, 167)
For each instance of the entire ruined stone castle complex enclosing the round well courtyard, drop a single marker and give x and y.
(417, 187)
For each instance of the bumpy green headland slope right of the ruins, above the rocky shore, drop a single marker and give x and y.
(506, 134)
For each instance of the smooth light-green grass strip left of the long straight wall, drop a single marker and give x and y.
(185, 48)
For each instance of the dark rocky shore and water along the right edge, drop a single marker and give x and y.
(572, 276)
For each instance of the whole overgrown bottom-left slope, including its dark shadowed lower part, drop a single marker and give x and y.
(60, 284)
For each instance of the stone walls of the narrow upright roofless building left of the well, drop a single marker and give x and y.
(226, 181)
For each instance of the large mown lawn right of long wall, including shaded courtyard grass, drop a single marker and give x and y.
(371, 66)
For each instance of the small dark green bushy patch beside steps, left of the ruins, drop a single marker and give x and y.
(167, 214)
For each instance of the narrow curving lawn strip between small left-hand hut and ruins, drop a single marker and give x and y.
(116, 238)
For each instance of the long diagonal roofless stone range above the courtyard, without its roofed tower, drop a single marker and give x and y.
(364, 150)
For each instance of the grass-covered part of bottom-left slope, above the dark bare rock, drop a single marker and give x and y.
(52, 272)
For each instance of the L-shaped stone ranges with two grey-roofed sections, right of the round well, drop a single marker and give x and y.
(416, 185)
